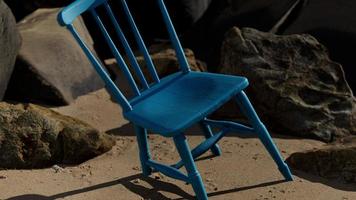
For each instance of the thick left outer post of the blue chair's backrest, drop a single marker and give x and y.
(101, 71)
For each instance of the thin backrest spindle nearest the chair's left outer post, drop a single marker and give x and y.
(116, 53)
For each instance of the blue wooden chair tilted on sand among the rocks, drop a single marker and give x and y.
(170, 105)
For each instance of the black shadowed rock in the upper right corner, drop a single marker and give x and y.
(333, 24)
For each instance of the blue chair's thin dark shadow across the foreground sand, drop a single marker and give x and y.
(144, 192)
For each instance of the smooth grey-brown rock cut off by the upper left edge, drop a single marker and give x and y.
(10, 42)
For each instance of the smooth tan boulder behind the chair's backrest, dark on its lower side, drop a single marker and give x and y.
(51, 68)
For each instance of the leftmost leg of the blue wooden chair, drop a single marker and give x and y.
(141, 135)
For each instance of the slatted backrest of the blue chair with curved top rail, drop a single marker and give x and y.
(77, 8)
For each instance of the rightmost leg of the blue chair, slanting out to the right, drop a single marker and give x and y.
(246, 107)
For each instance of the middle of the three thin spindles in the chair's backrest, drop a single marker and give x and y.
(127, 47)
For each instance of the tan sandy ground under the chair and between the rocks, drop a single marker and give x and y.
(244, 171)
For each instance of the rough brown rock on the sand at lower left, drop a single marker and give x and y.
(35, 137)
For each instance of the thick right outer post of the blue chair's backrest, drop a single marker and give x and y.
(183, 63)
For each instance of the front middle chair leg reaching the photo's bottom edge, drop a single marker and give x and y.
(193, 174)
